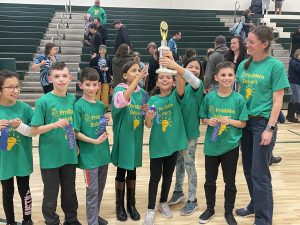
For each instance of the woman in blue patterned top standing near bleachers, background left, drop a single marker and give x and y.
(44, 62)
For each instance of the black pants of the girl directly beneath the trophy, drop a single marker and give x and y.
(164, 167)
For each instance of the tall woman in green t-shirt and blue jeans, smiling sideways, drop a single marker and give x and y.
(262, 81)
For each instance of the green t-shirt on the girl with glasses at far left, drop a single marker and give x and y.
(16, 160)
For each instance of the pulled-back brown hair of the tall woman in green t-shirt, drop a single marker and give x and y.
(264, 34)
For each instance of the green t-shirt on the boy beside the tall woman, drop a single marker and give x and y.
(232, 106)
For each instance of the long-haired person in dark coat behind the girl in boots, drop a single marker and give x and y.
(121, 57)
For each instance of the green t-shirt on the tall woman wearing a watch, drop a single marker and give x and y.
(258, 83)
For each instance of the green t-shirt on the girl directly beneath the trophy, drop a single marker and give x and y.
(168, 135)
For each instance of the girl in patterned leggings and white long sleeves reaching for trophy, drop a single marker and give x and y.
(190, 113)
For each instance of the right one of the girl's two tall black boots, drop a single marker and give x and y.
(134, 214)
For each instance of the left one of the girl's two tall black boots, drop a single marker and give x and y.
(120, 209)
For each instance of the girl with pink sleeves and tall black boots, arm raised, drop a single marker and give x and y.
(128, 127)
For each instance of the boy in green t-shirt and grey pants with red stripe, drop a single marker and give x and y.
(94, 154)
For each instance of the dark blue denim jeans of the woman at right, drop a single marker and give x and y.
(256, 170)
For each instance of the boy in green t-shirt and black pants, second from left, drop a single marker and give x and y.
(52, 119)
